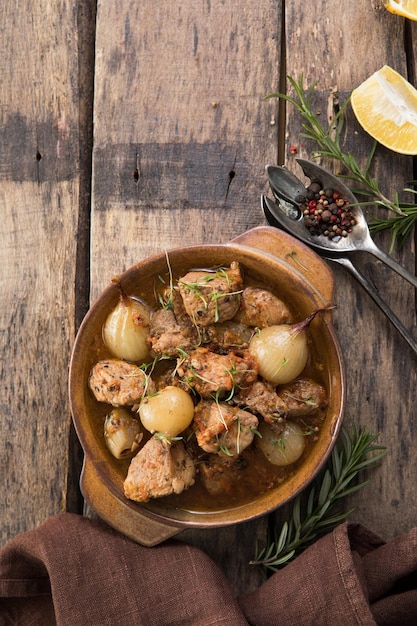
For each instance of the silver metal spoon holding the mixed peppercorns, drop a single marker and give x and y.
(287, 189)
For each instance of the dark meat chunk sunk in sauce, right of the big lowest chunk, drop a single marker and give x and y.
(219, 474)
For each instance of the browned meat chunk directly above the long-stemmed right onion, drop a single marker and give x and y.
(260, 308)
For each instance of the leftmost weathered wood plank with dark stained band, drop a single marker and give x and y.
(39, 205)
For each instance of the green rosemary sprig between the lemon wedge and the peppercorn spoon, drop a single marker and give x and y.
(327, 141)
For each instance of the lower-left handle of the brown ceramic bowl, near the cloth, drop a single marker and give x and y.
(121, 516)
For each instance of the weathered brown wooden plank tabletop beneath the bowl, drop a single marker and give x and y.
(134, 127)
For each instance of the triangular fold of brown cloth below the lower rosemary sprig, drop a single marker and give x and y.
(320, 587)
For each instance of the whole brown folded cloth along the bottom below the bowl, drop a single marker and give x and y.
(74, 571)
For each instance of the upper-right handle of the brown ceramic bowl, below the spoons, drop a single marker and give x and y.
(294, 253)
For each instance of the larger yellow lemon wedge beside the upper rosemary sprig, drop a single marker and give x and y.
(386, 107)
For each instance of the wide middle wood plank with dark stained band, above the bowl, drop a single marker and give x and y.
(182, 135)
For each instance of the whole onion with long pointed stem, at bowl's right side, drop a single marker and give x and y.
(281, 351)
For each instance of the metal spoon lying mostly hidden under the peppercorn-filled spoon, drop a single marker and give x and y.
(348, 265)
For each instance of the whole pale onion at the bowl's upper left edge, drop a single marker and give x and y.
(126, 329)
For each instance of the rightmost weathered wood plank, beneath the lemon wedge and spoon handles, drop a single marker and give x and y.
(339, 53)
